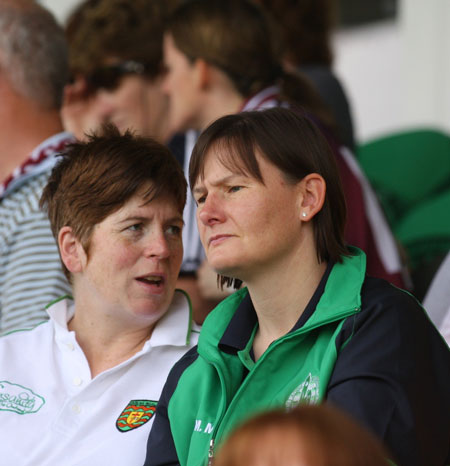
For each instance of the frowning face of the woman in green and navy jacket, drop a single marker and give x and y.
(247, 227)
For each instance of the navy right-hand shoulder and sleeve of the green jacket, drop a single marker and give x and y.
(393, 375)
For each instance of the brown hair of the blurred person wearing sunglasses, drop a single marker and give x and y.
(121, 29)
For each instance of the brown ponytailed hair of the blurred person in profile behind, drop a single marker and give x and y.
(238, 37)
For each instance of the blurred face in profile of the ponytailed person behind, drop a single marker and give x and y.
(181, 86)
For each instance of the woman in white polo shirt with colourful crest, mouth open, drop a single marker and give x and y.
(81, 388)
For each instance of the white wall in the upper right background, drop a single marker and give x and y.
(397, 73)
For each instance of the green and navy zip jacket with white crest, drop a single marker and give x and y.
(360, 343)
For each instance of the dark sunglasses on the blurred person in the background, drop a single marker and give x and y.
(108, 77)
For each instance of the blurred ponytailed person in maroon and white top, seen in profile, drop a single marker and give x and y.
(221, 58)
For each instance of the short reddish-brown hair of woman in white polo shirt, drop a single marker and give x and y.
(95, 178)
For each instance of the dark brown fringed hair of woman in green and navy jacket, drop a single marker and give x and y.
(293, 144)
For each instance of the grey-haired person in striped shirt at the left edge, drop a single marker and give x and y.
(33, 72)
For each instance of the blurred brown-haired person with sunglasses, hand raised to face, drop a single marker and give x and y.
(115, 58)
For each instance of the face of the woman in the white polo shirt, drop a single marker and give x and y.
(133, 262)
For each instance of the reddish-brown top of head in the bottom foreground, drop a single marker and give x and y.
(320, 435)
